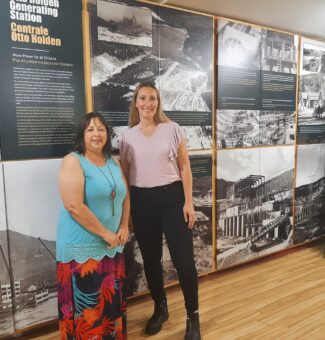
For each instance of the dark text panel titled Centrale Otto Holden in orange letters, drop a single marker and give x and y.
(42, 79)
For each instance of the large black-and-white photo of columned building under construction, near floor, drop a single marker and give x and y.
(254, 203)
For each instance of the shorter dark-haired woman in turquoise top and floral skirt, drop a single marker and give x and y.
(92, 231)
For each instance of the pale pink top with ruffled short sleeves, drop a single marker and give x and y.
(152, 160)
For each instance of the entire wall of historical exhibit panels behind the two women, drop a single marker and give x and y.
(255, 147)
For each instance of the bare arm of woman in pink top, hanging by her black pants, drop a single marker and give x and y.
(184, 166)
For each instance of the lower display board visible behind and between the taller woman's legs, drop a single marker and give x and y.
(201, 164)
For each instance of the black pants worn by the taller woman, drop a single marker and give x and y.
(157, 211)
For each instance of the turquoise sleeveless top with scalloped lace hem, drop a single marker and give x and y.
(75, 242)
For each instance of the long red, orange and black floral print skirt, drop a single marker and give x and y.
(92, 299)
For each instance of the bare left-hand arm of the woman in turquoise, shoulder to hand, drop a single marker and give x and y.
(71, 185)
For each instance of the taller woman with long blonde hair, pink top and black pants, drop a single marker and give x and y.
(155, 160)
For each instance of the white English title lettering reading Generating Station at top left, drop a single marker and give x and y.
(33, 10)
